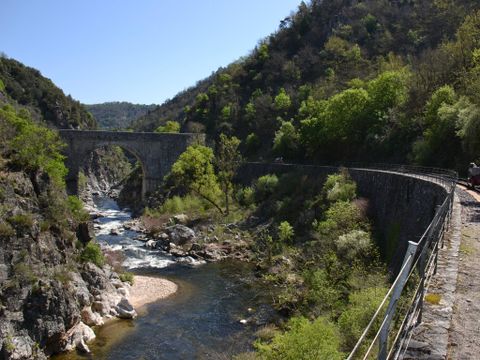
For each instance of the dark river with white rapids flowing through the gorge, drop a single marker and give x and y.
(200, 321)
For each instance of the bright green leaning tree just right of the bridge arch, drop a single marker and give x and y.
(194, 172)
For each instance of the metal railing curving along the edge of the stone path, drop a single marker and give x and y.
(419, 264)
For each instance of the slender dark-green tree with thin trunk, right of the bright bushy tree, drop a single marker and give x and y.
(228, 160)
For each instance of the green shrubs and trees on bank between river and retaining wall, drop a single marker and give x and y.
(312, 241)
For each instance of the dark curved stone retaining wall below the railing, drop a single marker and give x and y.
(400, 205)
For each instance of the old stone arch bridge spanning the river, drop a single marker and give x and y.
(155, 151)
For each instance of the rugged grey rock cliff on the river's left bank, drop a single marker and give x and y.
(48, 298)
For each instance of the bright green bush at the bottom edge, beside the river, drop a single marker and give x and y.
(304, 340)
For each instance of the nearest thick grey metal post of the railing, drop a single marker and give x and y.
(385, 330)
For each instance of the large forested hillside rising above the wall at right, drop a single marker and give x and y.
(371, 80)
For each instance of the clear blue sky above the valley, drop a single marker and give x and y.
(143, 51)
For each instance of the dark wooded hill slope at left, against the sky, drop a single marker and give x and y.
(42, 97)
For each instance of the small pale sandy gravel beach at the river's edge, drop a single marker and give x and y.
(148, 289)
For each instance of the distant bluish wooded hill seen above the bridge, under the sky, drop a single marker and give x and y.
(118, 115)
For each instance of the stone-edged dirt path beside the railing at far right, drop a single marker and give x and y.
(464, 334)
